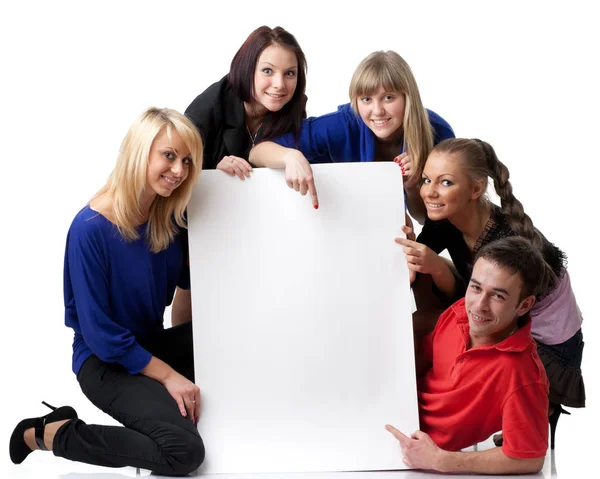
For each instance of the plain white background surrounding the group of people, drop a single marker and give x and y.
(520, 75)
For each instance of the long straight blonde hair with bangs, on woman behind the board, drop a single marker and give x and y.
(387, 69)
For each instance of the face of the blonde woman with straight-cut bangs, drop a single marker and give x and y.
(383, 113)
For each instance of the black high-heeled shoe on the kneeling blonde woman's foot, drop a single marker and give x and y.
(18, 447)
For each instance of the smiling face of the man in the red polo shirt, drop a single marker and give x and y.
(493, 303)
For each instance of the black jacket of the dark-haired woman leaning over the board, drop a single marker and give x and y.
(220, 117)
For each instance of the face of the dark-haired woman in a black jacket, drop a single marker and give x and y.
(275, 78)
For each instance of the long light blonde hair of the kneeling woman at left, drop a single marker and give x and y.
(127, 182)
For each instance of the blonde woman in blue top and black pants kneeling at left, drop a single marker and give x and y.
(126, 252)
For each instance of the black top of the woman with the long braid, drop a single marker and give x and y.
(442, 235)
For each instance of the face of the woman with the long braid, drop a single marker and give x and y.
(446, 189)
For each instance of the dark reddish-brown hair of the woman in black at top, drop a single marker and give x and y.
(241, 79)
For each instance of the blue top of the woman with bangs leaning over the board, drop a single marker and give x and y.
(342, 136)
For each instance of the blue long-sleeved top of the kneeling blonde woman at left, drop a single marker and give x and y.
(115, 291)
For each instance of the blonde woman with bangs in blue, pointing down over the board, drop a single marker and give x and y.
(384, 121)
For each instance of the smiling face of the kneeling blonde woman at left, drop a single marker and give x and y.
(168, 164)
